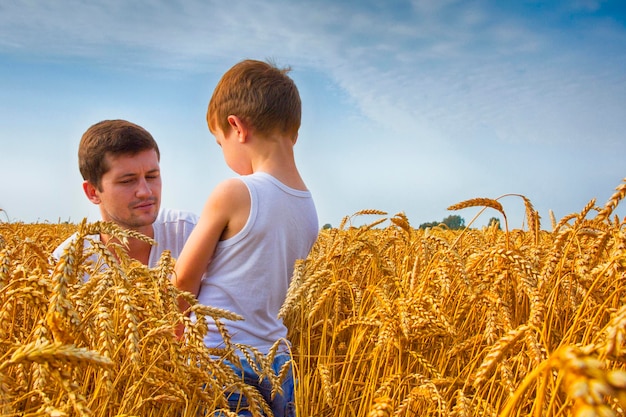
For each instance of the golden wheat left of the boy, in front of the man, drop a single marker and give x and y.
(103, 347)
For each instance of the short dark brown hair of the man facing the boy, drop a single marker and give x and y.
(115, 137)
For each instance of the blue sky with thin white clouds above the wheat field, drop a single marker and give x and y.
(408, 106)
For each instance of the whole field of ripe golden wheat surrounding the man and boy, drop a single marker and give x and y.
(385, 320)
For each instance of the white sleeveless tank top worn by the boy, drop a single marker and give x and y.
(250, 272)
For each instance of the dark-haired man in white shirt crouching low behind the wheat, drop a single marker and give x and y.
(119, 162)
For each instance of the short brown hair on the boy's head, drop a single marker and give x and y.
(261, 95)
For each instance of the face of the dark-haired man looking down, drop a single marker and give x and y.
(130, 192)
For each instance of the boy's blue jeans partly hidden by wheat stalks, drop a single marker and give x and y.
(282, 405)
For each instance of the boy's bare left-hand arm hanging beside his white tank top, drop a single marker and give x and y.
(224, 214)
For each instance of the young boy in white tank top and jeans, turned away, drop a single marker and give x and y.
(253, 227)
